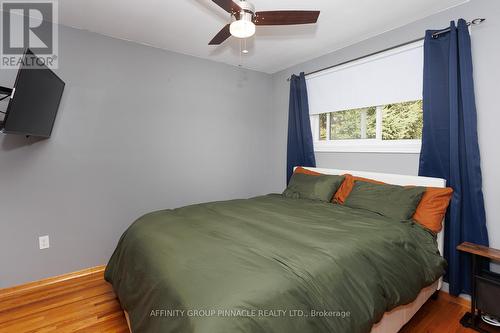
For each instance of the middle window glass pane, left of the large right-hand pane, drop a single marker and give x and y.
(353, 124)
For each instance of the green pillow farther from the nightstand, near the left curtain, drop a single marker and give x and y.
(320, 188)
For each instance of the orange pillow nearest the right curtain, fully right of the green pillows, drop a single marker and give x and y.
(432, 208)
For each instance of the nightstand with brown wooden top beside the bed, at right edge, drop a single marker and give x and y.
(485, 293)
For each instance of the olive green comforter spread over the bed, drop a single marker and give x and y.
(269, 264)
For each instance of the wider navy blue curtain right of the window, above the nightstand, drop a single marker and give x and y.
(450, 146)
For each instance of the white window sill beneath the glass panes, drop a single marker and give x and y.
(368, 146)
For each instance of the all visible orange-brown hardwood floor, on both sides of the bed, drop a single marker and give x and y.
(88, 304)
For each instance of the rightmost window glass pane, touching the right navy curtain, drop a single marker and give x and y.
(402, 121)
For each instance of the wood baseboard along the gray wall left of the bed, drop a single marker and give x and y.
(10, 291)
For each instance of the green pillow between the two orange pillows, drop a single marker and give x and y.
(393, 201)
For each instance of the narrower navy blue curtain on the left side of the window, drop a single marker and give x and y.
(300, 151)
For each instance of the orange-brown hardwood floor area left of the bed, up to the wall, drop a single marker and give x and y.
(83, 304)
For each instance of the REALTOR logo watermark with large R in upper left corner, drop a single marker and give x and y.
(29, 25)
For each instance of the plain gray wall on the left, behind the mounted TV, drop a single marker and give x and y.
(139, 129)
